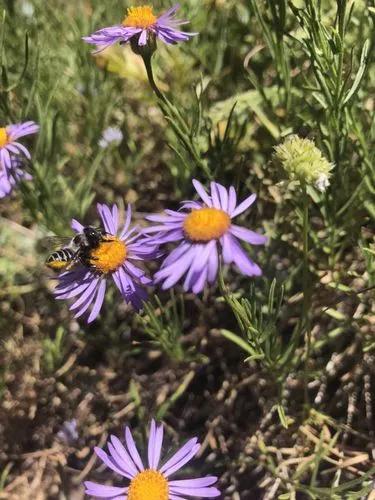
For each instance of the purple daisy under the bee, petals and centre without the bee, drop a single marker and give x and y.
(112, 258)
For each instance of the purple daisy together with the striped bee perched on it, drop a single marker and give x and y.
(101, 255)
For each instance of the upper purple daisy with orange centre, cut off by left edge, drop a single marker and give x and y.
(9, 147)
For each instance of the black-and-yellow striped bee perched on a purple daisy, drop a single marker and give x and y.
(76, 250)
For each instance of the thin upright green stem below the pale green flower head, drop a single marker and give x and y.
(306, 292)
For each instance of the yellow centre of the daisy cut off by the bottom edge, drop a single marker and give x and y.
(148, 485)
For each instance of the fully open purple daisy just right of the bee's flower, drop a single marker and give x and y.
(205, 232)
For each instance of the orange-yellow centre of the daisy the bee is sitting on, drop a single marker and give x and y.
(109, 255)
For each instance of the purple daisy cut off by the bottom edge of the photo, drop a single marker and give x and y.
(153, 481)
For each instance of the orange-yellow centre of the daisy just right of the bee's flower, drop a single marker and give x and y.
(205, 224)
